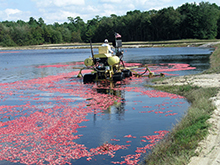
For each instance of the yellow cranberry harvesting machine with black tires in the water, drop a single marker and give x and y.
(107, 66)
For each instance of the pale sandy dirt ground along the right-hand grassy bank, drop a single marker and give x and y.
(209, 148)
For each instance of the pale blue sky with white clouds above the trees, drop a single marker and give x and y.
(59, 10)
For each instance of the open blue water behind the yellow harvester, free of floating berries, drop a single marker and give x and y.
(20, 65)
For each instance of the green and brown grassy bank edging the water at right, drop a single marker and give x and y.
(180, 144)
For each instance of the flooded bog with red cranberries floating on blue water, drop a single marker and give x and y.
(48, 116)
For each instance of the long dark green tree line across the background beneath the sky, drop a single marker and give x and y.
(189, 21)
